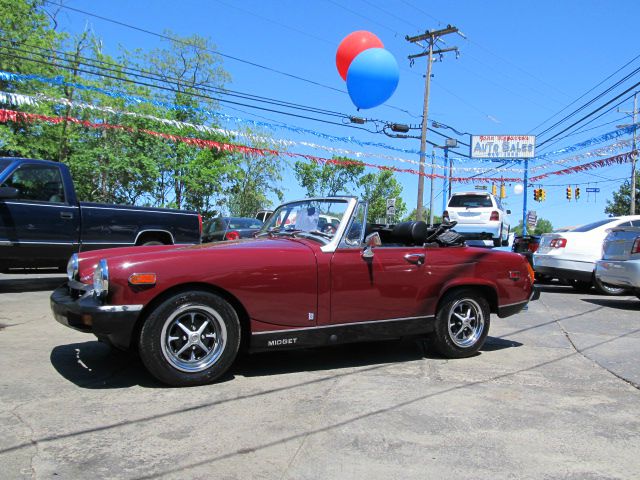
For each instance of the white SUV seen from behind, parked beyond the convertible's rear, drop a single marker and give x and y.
(480, 216)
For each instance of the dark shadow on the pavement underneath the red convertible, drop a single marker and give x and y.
(94, 365)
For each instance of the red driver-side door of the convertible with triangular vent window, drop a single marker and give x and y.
(390, 285)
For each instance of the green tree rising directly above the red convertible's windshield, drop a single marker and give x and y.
(328, 179)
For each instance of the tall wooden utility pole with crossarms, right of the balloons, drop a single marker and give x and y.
(432, 38)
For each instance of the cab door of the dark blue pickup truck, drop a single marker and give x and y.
(39, 228)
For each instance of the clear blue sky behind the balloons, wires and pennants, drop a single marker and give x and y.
(521, 63)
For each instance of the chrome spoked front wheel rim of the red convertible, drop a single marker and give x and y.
(193, 337)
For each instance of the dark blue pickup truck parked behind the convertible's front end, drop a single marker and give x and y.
(42, 222)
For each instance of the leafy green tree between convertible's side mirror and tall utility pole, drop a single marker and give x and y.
(377, 188)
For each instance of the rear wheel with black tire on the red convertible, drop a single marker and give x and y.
(451, 338)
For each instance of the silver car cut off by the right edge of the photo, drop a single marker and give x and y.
(620, 264)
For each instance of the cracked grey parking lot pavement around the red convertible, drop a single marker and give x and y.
(553, 394)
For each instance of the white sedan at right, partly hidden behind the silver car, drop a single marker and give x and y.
(571, 256)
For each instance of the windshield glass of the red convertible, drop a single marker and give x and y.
(319, 218)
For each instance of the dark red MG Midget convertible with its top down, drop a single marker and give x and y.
(189, 310)
